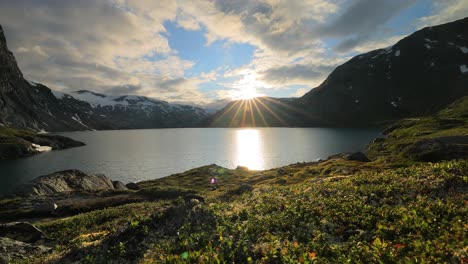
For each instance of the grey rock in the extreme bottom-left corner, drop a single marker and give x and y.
(13, 250)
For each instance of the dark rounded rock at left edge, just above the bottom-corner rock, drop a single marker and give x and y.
(21, 231)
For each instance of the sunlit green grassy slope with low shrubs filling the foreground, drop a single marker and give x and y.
(393, 209)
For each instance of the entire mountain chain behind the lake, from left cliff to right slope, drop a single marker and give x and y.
(419, 75)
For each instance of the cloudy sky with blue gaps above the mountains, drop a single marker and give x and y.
(205, 52)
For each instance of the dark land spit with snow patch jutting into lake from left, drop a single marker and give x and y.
(16, 143)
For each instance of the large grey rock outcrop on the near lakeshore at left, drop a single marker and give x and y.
(65, 181)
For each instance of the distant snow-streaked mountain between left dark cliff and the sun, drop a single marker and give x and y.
(130, 111)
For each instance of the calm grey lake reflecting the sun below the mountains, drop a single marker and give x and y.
(137, 155)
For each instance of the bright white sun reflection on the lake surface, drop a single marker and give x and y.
(249, 149)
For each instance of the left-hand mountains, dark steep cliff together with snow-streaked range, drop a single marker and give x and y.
(25, 104)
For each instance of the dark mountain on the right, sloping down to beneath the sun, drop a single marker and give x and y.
(419, 75)
